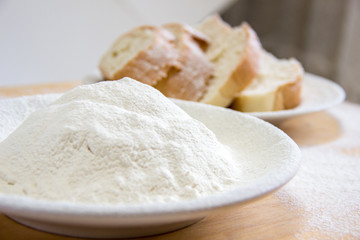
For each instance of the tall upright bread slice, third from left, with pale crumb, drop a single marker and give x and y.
(235, 54)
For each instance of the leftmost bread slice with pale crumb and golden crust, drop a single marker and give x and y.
(145, 53)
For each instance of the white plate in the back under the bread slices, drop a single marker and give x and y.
(318, 94)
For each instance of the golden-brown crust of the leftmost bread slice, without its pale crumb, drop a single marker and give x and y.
(151, 64)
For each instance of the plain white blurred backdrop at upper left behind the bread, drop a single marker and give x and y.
(63, 40)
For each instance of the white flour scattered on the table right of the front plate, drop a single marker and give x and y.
(327, 186)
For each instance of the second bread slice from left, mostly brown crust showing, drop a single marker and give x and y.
(191, 82)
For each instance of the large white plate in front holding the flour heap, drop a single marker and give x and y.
(269, 159)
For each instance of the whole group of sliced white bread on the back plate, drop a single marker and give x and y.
(211, 63)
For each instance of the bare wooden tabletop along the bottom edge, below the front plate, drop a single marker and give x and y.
(266, 217)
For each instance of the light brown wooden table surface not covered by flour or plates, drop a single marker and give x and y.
(268, 218)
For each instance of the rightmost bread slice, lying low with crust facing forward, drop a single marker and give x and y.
(276, 87)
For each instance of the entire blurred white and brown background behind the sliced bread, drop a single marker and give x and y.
(63, 40)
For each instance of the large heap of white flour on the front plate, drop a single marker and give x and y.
(114, 142)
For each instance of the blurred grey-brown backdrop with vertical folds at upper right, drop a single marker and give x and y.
(324, 35)
